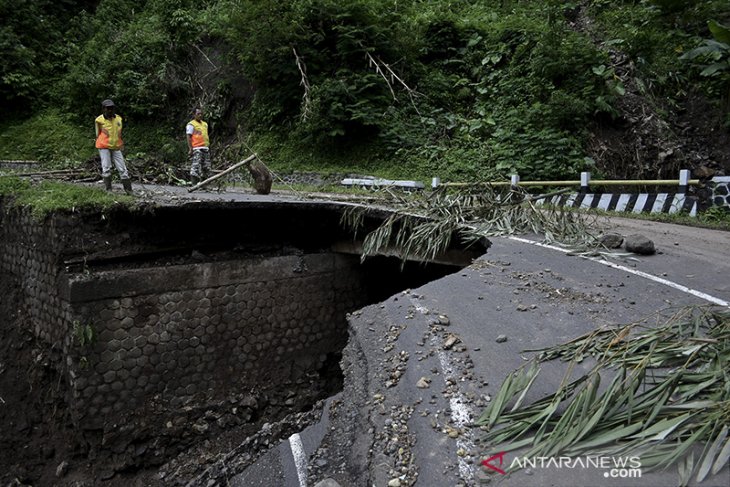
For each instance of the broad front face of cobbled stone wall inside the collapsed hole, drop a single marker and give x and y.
(189, 334)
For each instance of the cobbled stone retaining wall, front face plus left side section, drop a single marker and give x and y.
(174, 336)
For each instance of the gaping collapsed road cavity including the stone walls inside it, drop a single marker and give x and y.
(169, 324)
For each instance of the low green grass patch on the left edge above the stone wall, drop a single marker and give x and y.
(47, 197)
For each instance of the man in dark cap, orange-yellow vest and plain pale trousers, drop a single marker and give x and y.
(109, 141)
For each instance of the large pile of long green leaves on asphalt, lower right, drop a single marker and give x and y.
(669, 397)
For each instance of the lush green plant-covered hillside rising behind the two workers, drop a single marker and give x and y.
(462, 89)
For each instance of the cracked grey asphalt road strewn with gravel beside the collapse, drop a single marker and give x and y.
(533, 295)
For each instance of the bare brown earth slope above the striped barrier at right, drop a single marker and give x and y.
(649, 138)
